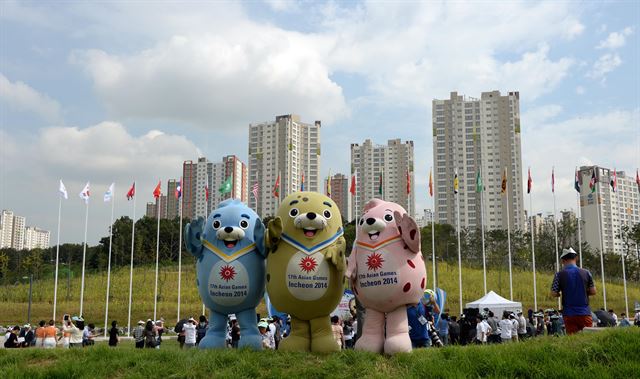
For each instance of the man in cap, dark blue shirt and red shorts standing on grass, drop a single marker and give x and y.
(575, 285)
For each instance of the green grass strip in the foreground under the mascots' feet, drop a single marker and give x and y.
(606, 354)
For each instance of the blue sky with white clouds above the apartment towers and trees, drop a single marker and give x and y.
(116, 91)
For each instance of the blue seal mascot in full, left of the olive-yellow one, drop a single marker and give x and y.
(230, 253)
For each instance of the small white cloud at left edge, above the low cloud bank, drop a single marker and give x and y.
(21, 97)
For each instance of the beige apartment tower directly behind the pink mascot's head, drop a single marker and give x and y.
(382, 171)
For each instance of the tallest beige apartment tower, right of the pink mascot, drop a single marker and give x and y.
(471, 135)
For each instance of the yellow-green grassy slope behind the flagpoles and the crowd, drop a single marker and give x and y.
(15, 298)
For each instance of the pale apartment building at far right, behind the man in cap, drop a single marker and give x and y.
(605, 212)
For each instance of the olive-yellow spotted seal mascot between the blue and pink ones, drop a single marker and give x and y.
(305, 268)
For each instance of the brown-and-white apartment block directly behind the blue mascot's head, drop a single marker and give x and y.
(201, 174)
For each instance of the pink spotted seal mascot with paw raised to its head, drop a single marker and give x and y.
(387, 273)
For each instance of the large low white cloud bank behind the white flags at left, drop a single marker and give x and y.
(103, 153)
